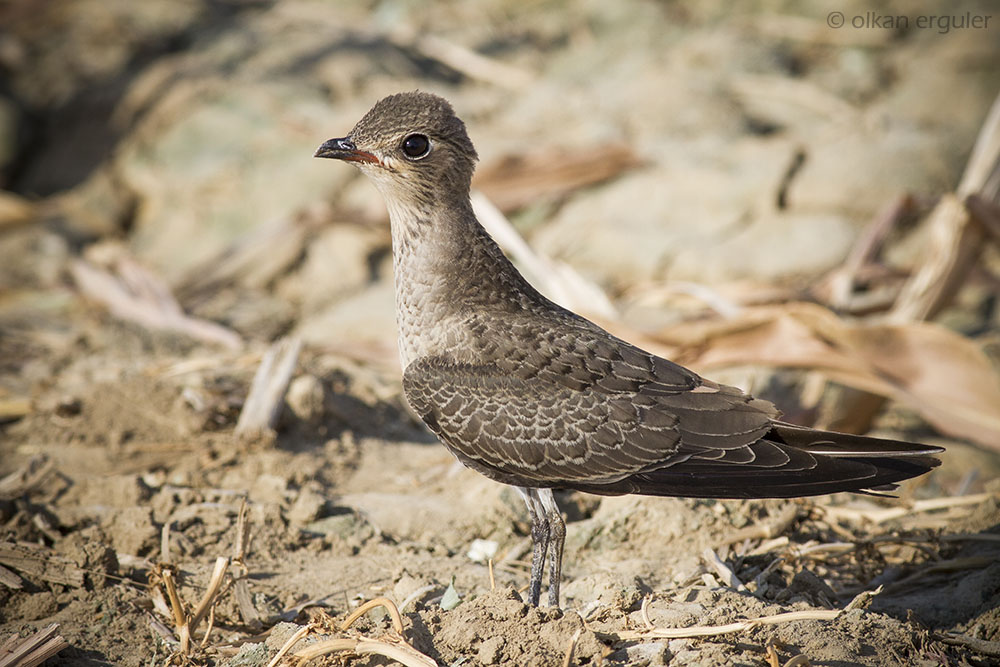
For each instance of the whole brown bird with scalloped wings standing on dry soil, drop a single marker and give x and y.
(532, 395)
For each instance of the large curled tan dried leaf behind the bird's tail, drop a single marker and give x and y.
(944, 376)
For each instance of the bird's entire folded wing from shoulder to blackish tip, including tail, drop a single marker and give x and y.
(574, 406)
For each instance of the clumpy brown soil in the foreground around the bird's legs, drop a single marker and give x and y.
(360, 503)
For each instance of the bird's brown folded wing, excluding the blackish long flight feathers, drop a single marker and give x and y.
(532, 430)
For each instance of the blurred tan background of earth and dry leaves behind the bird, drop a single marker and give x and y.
(800, 199)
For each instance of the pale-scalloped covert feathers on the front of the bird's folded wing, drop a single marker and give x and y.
(531, 429)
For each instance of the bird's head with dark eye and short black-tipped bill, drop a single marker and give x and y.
(413, 147)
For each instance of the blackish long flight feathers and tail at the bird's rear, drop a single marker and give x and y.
(819, 462)
